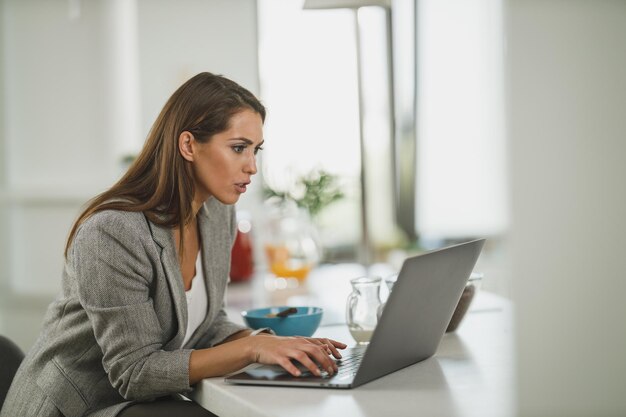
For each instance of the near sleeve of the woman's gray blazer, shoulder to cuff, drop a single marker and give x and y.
(112, 262)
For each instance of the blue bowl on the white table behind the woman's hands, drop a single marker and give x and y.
(302, 323)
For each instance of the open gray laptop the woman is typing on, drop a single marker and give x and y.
(409, 330)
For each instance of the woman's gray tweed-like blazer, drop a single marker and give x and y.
(114, 334)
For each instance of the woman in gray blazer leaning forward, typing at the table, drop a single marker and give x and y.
(140, 315)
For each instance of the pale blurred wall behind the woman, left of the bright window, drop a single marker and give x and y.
(70, 81)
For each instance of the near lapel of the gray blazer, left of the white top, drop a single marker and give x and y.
(164, 237)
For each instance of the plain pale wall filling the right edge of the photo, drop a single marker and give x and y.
(567, 123)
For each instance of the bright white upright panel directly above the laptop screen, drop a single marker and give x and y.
(461, 170)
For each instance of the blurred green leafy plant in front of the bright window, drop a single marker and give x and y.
(313, 192)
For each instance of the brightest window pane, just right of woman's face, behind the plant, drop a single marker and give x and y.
(307, 64)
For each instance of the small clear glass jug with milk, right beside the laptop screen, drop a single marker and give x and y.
(362, 307)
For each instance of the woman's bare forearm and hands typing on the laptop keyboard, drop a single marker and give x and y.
(241, 350)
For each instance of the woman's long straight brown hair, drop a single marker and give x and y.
(160, 183)
